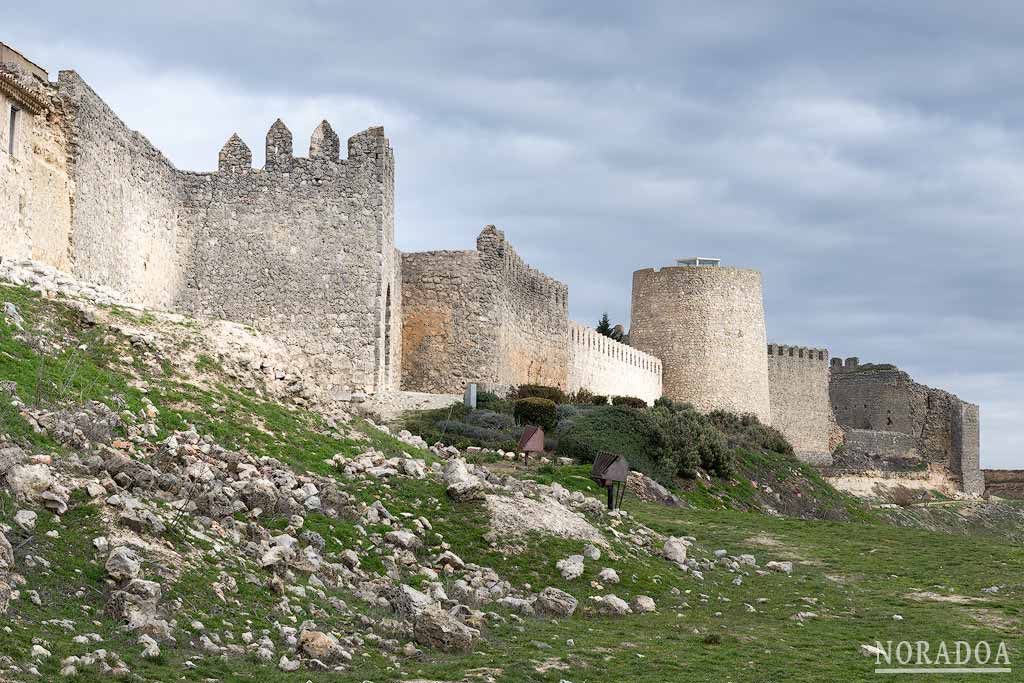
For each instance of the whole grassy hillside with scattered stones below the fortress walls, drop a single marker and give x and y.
(856, 577)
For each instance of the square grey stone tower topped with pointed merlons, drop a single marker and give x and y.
(304, 249)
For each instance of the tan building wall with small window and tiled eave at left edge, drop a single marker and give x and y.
(35, 187)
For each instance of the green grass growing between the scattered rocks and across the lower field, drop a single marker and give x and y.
(861, 572)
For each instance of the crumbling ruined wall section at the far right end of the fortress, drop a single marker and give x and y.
(892, 422)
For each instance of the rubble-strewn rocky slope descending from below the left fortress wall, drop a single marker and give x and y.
(163, 509)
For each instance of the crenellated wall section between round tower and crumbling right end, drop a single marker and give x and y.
(798, 380)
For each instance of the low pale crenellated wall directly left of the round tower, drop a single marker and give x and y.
(607, 367)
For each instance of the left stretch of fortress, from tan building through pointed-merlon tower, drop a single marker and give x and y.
(303, 249)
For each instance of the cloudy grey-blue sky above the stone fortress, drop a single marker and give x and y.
(869, 158)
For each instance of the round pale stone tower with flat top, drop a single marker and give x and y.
(707, 324)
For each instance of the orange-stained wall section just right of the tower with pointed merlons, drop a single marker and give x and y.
(482, 316)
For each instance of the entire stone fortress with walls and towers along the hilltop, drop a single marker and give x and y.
(304, 249)
